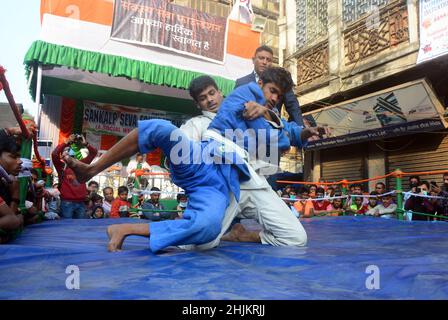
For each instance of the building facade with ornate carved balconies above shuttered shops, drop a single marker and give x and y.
(343, 53)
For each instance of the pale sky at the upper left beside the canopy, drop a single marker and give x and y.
(19, 27)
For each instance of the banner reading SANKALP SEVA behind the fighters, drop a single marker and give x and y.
(120, 120)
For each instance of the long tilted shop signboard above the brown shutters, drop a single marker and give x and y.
(402, 110)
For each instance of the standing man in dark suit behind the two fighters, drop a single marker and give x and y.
(262, 60)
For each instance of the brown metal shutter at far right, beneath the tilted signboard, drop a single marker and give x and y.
(418, 153)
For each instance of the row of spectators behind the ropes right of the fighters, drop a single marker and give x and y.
(424, 201)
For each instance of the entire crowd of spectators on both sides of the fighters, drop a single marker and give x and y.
(69, 199)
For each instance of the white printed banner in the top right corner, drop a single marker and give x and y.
(433, 29)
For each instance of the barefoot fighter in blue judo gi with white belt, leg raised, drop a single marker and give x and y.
(210, 170)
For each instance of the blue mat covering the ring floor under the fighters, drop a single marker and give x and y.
(411, 257)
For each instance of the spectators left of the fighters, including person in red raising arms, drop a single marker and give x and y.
(67, 199)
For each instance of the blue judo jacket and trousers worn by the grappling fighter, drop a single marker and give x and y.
(207, 184)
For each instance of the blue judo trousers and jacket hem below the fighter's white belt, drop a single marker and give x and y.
(207, 184)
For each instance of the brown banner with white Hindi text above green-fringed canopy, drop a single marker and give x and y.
(166, 25)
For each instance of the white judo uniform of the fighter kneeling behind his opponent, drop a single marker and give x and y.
(257, 199)
